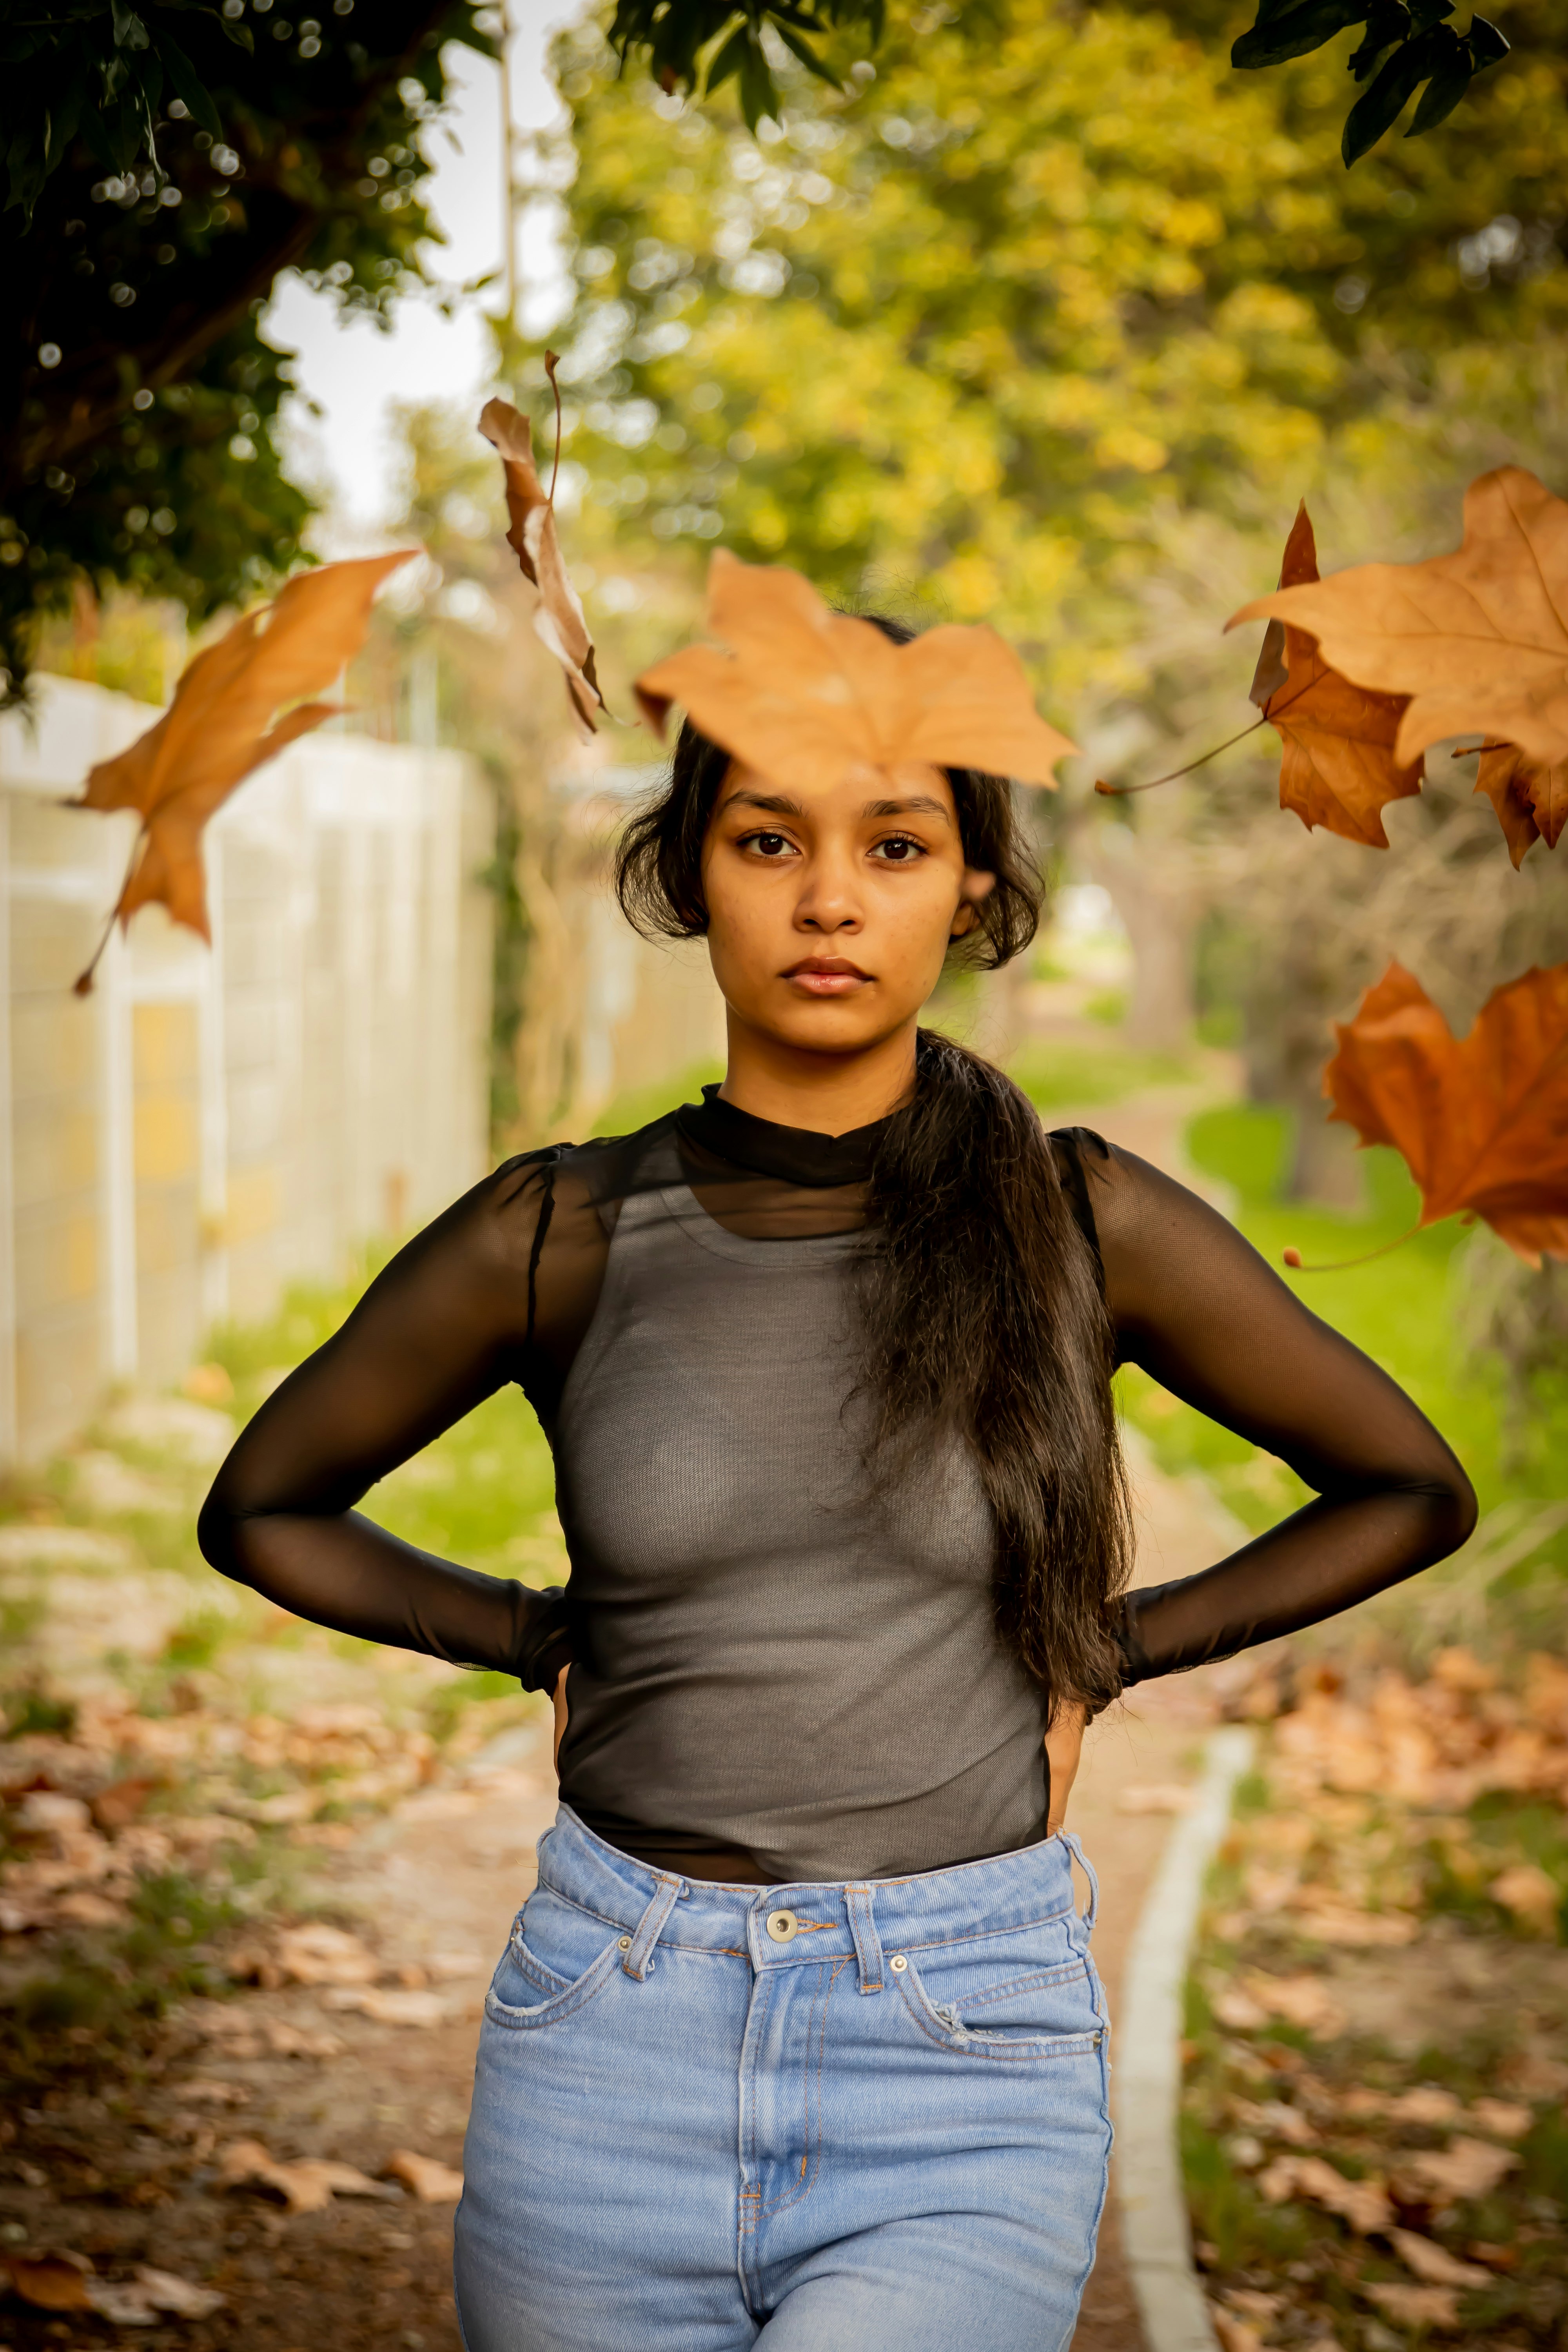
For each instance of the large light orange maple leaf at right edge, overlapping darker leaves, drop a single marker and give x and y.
(1477, 639)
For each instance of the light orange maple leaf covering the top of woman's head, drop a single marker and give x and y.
(810, 697)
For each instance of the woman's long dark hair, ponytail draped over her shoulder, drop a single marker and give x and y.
(984, 1299)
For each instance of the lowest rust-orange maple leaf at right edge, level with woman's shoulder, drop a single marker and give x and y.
(1482, 1121)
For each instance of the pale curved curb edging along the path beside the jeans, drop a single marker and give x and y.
(1148, 2076)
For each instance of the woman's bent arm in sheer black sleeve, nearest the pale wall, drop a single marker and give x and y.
(445, 1325)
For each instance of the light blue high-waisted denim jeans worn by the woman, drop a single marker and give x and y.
(815, 2118)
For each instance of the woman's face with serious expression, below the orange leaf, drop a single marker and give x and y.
(831, 909)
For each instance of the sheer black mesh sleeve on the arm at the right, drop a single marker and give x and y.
(1200, 1311)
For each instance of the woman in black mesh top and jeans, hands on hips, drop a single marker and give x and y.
(798, 2036)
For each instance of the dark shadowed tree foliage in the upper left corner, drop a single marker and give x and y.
(163, 168)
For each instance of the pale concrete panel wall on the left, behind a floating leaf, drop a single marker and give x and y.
(213, 1123)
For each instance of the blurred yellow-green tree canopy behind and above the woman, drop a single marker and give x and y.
(986, 323)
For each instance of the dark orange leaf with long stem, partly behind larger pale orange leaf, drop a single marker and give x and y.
(1339, 766)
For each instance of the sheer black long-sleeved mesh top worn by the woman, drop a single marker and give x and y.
(636, 1354)
